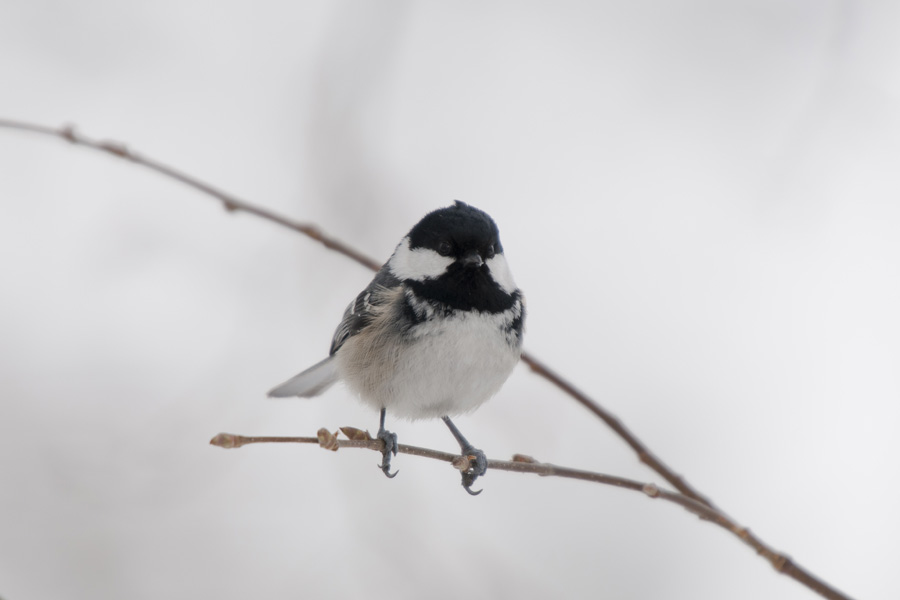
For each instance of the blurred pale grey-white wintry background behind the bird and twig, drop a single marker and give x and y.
(701, 201)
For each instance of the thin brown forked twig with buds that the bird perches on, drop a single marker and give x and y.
(689, 497)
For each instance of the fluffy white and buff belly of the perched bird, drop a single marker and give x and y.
(446, 367)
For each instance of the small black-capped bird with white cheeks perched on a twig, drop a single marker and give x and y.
(435, 334)
